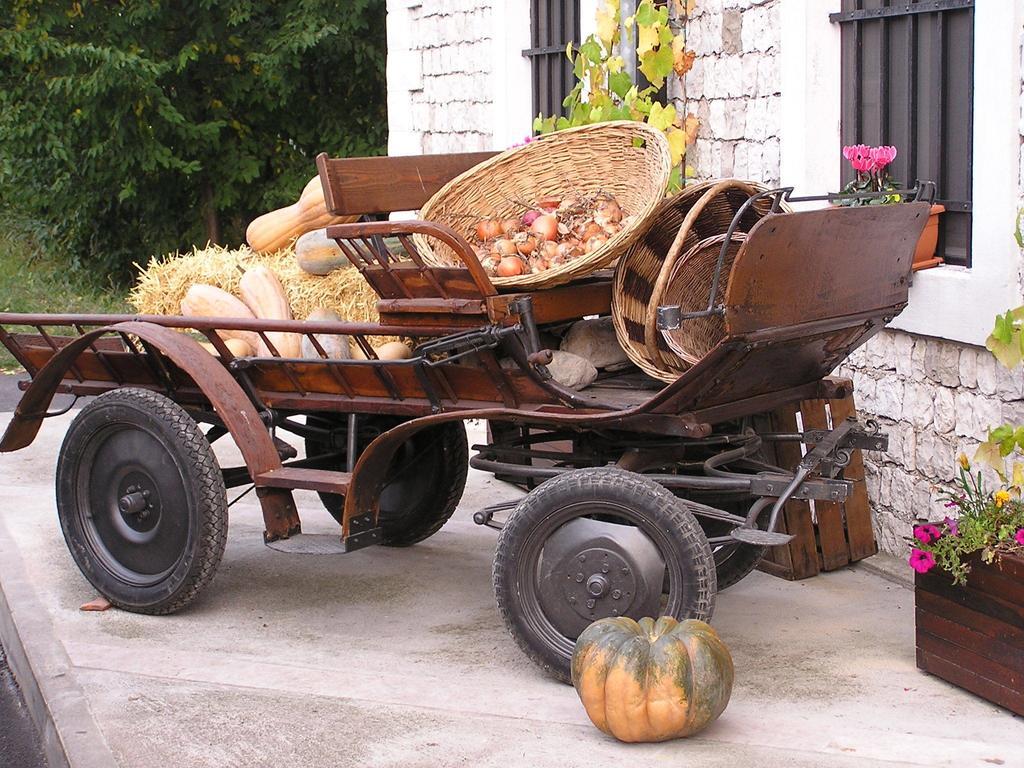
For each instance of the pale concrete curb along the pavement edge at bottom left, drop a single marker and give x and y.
(70, 736)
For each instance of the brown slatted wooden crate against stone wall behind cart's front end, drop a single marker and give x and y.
(832, 535)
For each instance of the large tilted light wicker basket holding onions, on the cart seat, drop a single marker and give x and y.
(628, 159)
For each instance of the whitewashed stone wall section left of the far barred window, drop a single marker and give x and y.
(441, 58)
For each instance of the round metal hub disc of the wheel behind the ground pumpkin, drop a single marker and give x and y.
(592, 570)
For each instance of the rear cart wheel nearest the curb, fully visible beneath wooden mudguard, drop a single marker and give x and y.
(142, 501)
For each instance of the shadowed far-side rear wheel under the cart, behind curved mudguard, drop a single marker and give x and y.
(437, 461)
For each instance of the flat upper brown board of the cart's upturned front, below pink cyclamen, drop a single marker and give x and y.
(814, 266)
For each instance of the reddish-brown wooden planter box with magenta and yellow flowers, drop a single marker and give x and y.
(973, 636)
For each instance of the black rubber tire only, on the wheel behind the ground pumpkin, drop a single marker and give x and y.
(663, 518)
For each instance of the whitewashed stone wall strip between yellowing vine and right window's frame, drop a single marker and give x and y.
(735, 89)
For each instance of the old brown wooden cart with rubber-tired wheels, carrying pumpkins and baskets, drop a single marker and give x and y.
(665, 495)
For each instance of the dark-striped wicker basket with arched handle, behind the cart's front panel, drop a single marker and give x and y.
(662, 257)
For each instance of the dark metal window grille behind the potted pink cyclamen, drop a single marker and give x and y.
(908, 80)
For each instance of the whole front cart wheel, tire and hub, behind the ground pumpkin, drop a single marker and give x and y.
(598, 543)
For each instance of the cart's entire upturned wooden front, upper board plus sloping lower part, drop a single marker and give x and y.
(805, 291)
